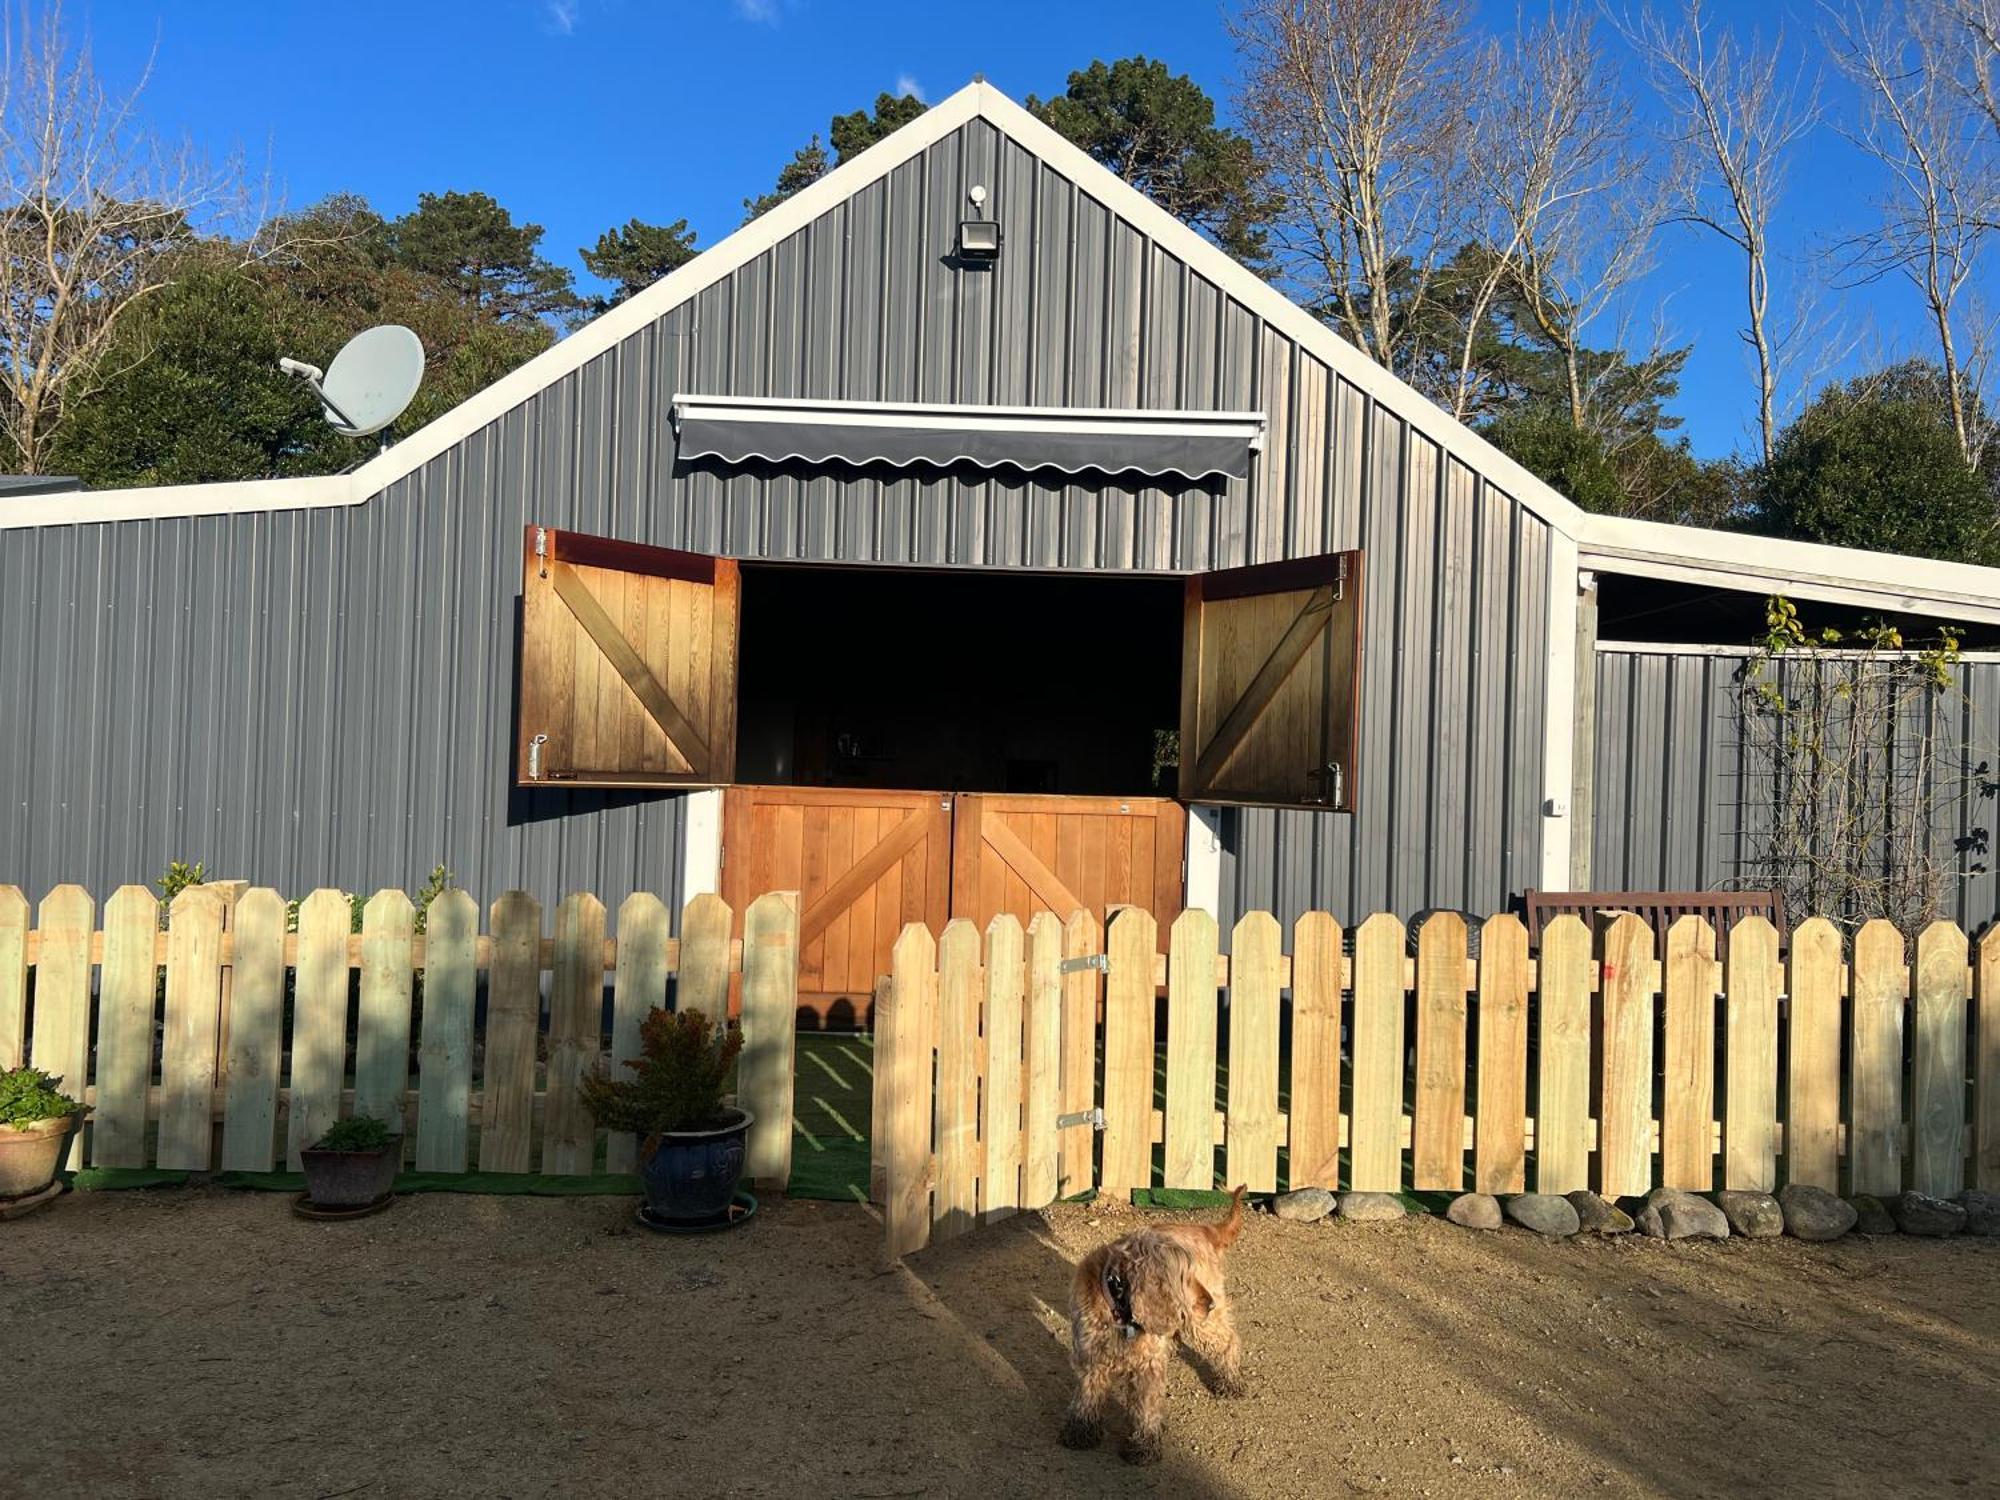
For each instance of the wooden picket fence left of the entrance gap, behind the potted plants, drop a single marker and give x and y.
(241, 1059)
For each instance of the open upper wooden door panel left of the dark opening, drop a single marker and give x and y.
(627, 665)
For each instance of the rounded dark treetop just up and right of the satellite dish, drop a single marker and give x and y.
(473, 245)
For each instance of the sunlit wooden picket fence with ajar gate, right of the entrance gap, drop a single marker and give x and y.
(1601, 1063)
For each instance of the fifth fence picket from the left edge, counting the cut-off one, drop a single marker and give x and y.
(257, 1033)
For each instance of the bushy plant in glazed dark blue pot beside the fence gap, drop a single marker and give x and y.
(691, 1143)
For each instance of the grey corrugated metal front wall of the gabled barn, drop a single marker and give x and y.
(327, 697)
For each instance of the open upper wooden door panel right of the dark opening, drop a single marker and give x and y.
(1267, 685)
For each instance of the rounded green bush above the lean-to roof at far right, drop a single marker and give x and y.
(1875, 467)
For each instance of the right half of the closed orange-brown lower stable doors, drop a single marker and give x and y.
(1031, 855)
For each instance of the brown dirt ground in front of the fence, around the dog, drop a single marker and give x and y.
(201, 1343)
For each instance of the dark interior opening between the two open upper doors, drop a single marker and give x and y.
(957, 681)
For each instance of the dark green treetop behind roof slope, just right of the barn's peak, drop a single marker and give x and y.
(1159, 133)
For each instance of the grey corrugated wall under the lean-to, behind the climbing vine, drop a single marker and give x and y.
(1685, 801)
